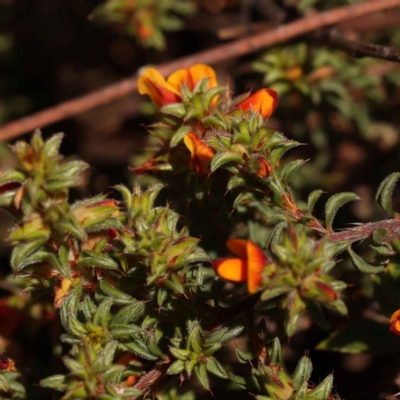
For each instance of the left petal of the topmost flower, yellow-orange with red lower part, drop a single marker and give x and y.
(154, 85)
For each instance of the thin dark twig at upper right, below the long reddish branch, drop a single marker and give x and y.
(358, 49)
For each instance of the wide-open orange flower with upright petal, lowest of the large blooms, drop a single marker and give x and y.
(247, 268)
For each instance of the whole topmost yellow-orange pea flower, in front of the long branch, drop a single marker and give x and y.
(162, 92)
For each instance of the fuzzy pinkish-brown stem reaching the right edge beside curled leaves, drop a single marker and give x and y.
(364, 231)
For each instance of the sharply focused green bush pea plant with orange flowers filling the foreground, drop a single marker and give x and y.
(147, 308)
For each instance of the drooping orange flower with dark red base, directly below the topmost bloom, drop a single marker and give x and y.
(200, 153)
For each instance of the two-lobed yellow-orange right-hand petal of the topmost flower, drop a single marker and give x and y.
(192, 76)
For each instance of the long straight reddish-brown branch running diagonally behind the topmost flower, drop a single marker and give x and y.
(212, 56)
